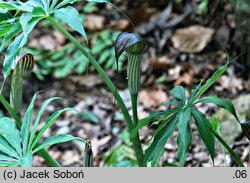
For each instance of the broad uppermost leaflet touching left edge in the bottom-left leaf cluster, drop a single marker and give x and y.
(9, 131)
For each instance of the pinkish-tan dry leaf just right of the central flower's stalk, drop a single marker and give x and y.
(152, 98)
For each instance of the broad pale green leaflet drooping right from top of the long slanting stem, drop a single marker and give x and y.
(74, 20)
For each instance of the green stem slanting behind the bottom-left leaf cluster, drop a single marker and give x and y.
(43, 153)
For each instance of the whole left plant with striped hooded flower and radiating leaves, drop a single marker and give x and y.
(21, 140)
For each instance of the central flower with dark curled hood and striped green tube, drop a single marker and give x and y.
(135, 46)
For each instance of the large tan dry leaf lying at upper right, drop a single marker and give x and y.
(192, 39)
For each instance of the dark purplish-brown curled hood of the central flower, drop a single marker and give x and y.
(127, 41)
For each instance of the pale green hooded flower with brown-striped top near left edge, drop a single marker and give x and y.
(24, 66)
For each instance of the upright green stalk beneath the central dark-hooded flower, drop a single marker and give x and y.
(137, 142)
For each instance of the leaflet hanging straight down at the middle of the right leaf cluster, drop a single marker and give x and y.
(184, 135)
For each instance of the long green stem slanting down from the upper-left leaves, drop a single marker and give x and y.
(136, 142)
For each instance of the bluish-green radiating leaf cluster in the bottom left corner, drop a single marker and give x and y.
(17, 147)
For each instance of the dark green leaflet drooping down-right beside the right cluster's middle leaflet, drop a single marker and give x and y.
(204, 128)
